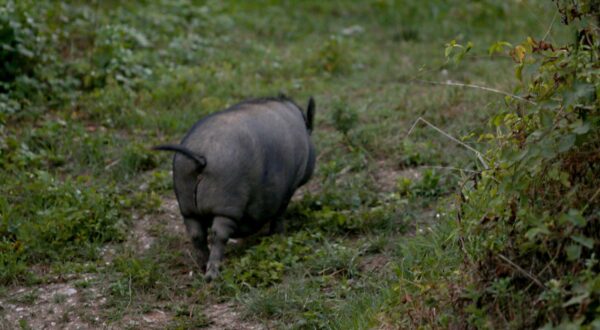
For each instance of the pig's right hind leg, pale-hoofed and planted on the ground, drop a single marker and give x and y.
(222, 228)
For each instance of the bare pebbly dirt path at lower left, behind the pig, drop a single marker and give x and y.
(78, 301)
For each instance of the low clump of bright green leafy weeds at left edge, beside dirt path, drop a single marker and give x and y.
(46, 219)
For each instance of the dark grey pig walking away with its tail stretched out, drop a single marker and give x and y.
(237, 169)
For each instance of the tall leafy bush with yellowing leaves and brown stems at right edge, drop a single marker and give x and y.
(530, 224)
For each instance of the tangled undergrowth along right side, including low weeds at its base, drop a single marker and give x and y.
(524, 234)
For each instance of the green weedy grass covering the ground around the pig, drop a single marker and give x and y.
(366, 243)
